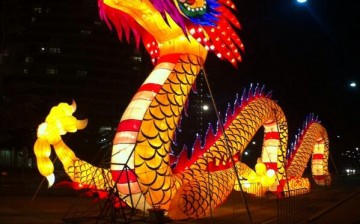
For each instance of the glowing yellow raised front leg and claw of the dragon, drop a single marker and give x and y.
(57, 123)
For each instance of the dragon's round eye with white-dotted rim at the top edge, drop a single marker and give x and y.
(192, 8)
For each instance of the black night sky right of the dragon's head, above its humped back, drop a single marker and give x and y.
(306, 55)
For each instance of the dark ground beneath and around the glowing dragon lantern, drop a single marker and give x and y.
(338, 203)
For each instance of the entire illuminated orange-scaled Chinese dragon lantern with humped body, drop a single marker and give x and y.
(178, 34)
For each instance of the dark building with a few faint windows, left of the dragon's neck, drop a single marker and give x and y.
(58, 51)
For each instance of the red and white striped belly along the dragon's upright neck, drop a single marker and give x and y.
(122, 160)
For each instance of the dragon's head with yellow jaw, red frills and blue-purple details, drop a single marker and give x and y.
(177, 26)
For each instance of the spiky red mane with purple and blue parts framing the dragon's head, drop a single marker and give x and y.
(214, 30)
